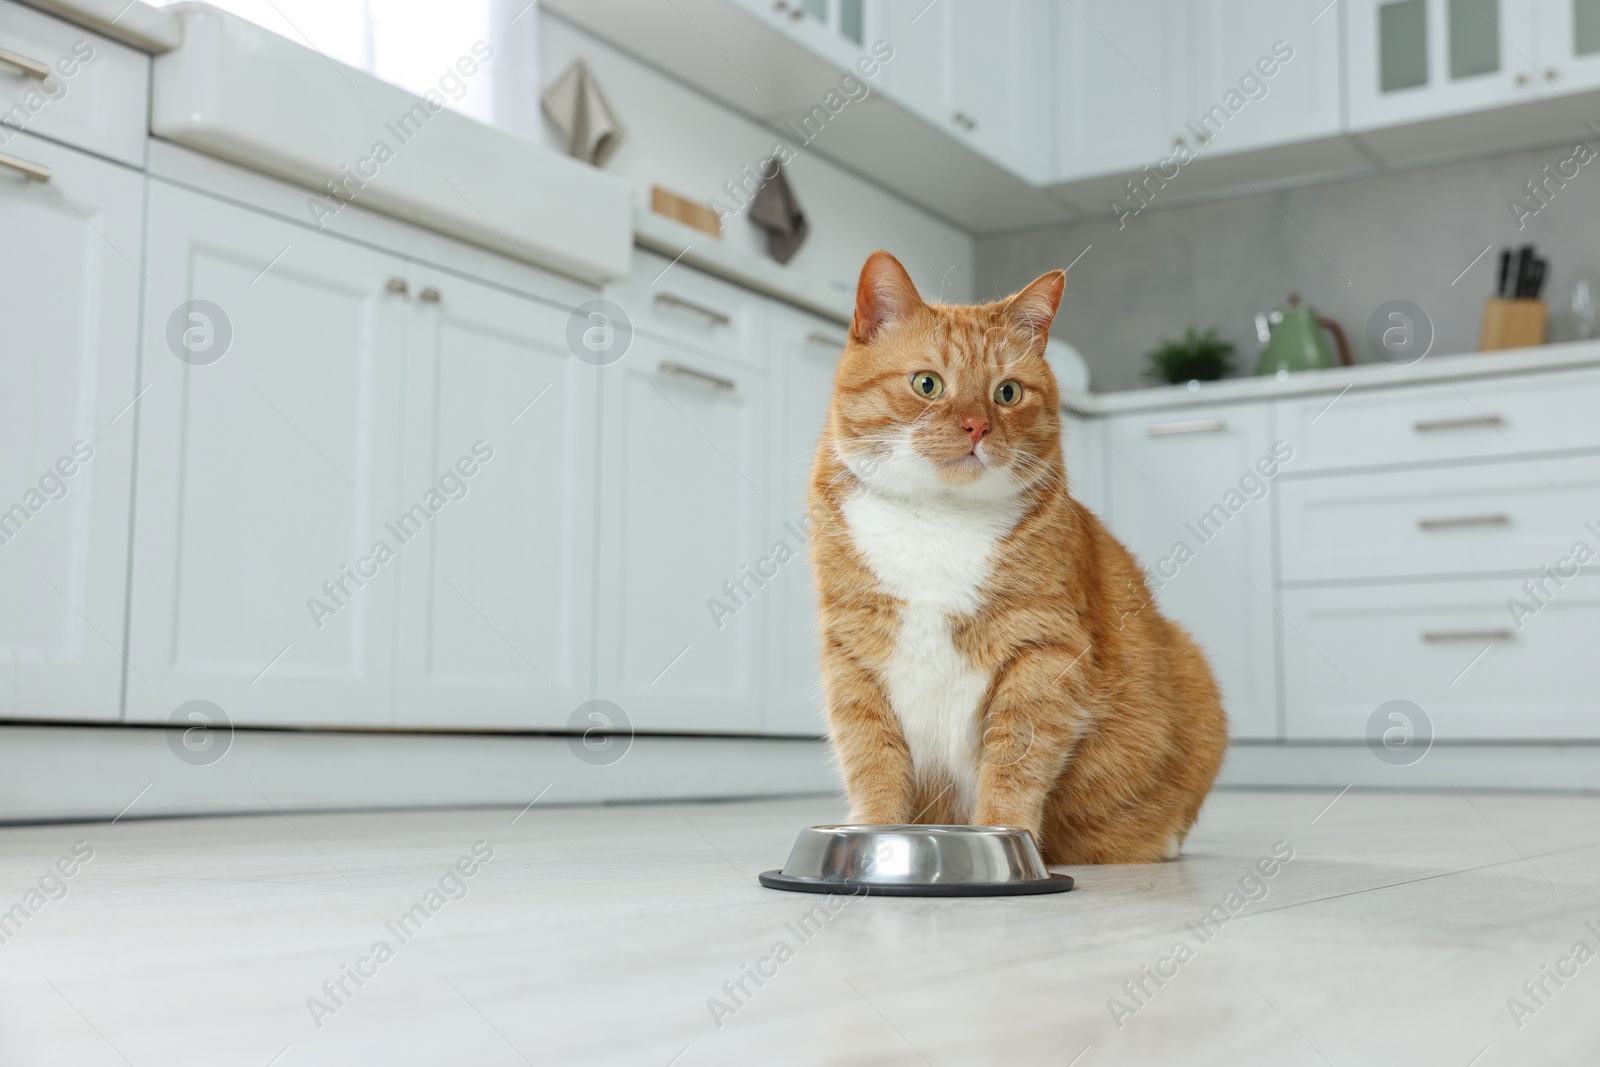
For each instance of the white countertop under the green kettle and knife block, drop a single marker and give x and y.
(1439, 369)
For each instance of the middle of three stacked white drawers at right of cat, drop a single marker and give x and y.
(1457, 521)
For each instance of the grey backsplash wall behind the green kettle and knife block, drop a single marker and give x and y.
(1346, 247)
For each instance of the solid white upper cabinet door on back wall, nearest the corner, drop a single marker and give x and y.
(1121, 84)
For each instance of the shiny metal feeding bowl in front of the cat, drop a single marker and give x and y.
(916, 861)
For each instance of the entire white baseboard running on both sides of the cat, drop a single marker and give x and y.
(65, 773)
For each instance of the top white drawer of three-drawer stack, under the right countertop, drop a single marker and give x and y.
(1486, 418)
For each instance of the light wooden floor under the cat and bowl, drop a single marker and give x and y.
(599, 935)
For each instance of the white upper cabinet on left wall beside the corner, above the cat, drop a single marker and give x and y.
(982, 73)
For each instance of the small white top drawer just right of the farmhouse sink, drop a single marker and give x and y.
(682, 305)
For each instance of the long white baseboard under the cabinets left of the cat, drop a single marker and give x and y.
(63, 773)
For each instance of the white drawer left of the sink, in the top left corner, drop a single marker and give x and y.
(71, 86)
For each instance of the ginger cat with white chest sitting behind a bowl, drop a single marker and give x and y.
(991, 653)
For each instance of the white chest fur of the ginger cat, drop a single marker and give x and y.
(934, 557)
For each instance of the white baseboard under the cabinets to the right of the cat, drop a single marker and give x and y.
(1524, 767)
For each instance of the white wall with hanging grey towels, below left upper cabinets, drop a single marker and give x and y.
(690, 145)
